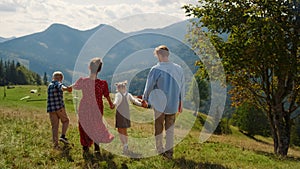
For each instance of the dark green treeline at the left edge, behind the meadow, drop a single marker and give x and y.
(13, 73)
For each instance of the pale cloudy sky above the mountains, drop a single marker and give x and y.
(23, 17)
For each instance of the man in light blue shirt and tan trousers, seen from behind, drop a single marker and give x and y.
(164, 91)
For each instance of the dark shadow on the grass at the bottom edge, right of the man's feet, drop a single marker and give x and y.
(183, 163)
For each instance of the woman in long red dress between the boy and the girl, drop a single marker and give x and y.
(90, 113)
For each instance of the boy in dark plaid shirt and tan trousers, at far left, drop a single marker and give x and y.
(56, 108)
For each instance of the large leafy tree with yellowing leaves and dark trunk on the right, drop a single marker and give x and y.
(261, 56)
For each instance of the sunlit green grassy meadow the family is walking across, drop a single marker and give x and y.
(25, 142)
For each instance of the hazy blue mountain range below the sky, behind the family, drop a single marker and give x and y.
(59, 45)
